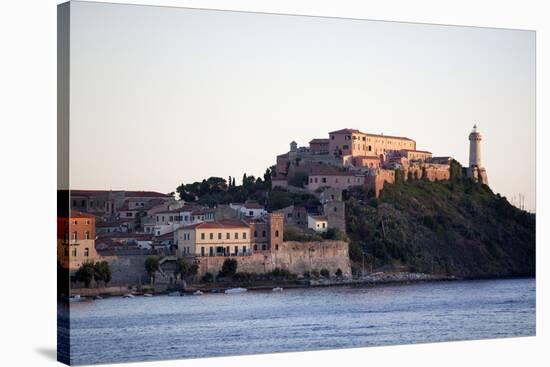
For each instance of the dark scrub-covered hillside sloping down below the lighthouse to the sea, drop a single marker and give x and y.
(455, 227)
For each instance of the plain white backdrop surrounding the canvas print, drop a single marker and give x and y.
(28, 174)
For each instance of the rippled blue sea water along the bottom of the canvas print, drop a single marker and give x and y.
(162, 327)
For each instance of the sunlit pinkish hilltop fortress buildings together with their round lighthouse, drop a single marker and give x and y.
(349, 157)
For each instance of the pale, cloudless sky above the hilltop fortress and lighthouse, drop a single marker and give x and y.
(162, 96)
